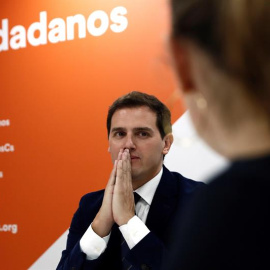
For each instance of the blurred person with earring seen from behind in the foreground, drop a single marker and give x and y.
(221, 51)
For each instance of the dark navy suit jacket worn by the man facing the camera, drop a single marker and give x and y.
(172, 194)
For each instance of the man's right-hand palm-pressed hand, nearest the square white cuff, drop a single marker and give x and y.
(123, 207)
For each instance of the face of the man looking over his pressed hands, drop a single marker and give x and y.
(135, 129)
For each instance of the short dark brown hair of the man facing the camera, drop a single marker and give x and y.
(138, 99)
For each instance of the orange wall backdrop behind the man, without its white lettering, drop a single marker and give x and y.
(56, 98)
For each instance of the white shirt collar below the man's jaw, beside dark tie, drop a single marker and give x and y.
(147, 191)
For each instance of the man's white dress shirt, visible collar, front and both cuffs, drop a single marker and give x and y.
(133, 232)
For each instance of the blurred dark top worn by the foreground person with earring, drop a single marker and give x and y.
(227, 226)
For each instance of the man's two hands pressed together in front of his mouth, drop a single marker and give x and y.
(118, 202)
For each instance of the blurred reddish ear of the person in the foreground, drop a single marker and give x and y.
(181, 60)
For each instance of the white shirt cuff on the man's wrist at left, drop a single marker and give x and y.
(92, 244)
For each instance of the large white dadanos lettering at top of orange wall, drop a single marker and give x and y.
(60, 30)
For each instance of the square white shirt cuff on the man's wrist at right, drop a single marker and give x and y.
(134, 231)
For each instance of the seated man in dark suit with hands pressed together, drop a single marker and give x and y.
(105, 232)
